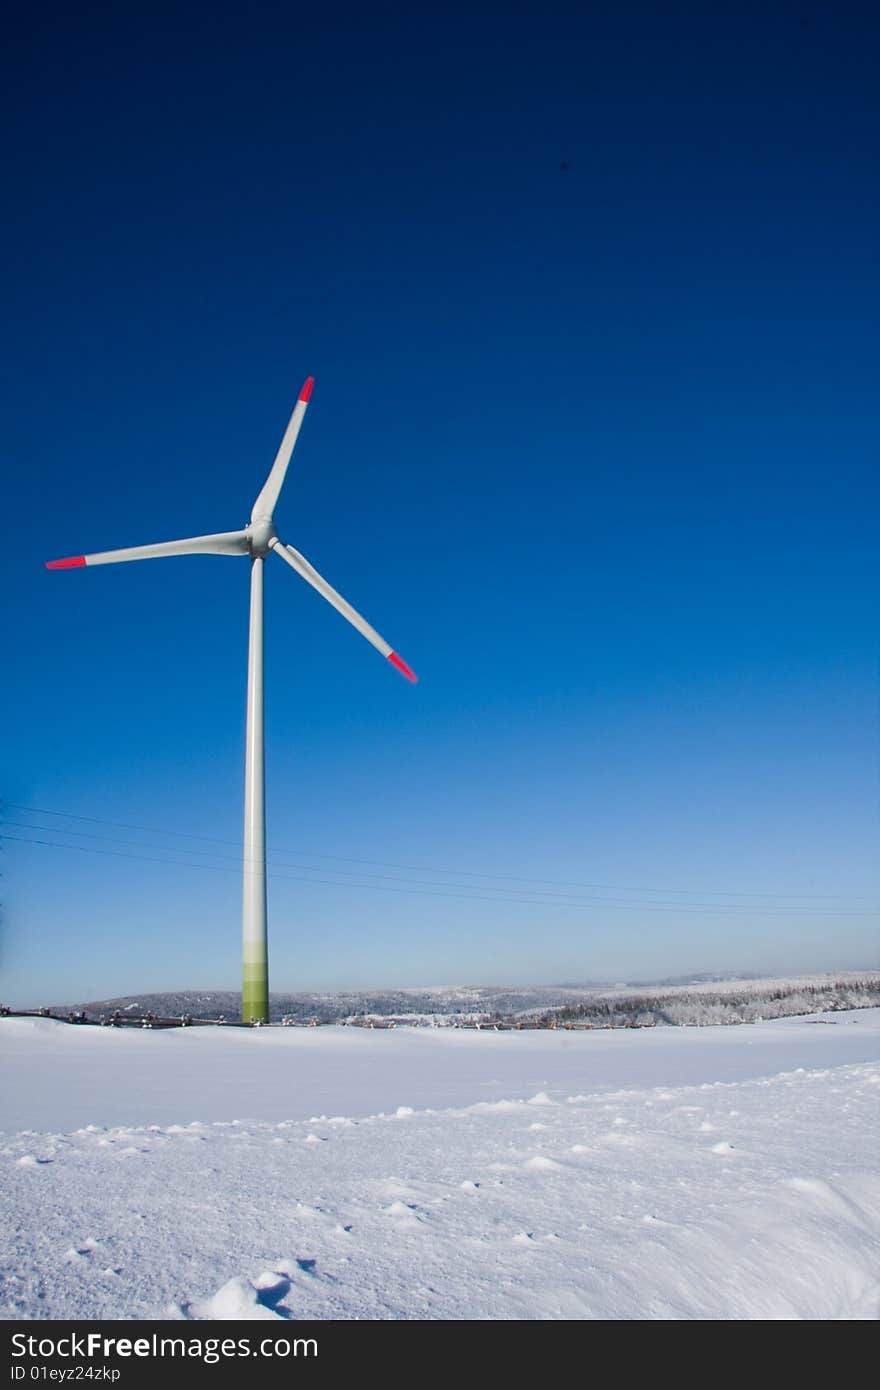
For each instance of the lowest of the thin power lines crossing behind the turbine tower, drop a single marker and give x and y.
(425, 892)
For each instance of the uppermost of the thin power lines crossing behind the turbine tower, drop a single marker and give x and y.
(465, 874)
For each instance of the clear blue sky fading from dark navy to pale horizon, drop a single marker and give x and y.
(592, 297)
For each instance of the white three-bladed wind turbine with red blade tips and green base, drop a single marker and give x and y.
(255, 541)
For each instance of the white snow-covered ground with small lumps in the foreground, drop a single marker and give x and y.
(440, 1174)
